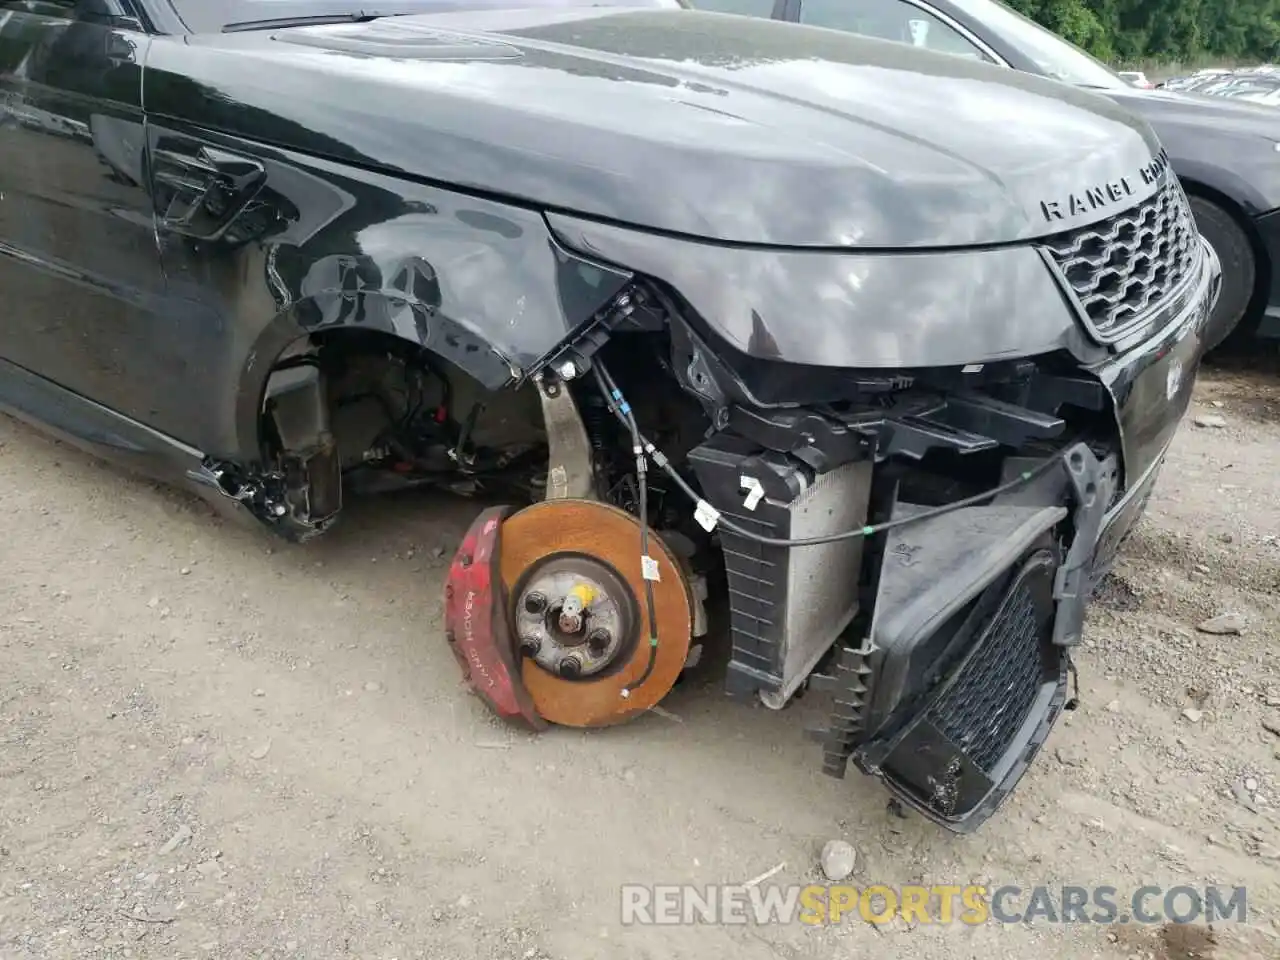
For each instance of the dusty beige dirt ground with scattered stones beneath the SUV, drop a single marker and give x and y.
(217, 746)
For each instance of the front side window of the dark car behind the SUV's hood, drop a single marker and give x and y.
(899, 21)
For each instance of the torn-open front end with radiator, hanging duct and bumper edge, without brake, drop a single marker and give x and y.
(916, 543)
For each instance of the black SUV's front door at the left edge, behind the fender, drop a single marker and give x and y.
(80, 271)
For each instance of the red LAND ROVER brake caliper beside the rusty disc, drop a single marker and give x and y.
(476, 623)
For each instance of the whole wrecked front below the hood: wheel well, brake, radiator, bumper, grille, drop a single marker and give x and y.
(893, 481)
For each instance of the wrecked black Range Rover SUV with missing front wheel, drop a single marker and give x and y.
(872, 351)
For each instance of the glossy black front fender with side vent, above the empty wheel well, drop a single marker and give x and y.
(271, 248)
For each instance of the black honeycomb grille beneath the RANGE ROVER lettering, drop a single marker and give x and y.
(1128, 266)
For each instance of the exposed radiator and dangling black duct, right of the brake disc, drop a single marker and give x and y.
(941, 630)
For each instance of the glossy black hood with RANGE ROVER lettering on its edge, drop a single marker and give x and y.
(701, 125)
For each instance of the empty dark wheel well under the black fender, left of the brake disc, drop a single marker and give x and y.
(353, 412)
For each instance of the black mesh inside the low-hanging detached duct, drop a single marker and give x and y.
(991, 698)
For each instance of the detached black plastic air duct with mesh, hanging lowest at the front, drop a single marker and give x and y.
(966, 666)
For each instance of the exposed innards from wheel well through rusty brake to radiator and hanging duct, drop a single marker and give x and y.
(916, 546)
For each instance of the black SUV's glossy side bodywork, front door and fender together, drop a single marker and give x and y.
(156, 272)
